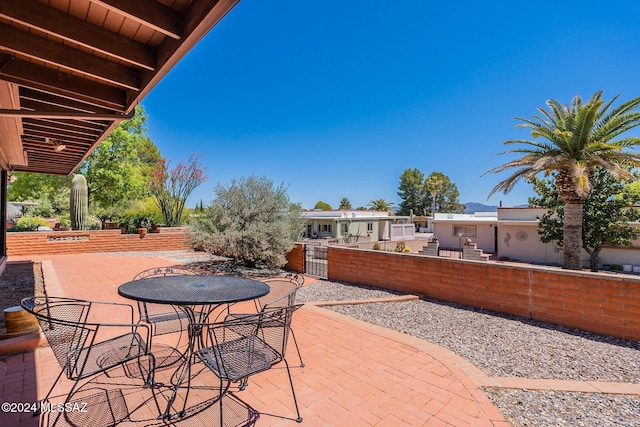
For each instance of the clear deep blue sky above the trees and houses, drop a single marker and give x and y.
(337, 98)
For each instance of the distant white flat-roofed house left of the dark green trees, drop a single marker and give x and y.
(356, 226)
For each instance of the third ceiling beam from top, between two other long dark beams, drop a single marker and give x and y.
(19, 42)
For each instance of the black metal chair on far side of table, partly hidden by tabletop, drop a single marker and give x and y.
(163, 318)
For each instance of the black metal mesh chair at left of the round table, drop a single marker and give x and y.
(83, 348)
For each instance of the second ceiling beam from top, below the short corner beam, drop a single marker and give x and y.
(37, 15)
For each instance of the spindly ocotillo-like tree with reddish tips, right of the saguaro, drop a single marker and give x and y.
(171, 188)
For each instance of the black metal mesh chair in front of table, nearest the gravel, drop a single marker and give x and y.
(236, 349)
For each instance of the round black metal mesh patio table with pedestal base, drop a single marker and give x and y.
(188, 292)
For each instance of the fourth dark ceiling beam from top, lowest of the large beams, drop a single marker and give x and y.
(62, 84)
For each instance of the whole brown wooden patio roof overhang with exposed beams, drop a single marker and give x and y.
(71, 70)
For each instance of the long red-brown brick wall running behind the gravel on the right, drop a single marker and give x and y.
(598, 302)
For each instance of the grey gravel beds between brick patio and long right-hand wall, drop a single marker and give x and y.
(511, 347)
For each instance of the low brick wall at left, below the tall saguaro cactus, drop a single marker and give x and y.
(69, 242)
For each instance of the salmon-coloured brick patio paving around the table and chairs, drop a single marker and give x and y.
(355, 374)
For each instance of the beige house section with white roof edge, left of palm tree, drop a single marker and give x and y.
(452, 230)
